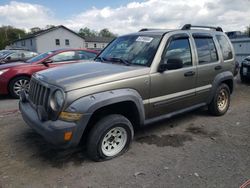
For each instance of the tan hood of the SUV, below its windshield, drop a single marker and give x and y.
(80, 75)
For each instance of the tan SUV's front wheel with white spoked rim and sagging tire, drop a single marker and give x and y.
(110, 137)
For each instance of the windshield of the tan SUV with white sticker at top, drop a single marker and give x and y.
(132, 49)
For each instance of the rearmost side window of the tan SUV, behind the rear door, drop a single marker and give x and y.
(225, 47)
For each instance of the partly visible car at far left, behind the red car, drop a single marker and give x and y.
(10, 56)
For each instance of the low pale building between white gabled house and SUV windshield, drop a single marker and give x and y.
(97, 43)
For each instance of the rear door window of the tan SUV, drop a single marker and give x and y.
(206, 50)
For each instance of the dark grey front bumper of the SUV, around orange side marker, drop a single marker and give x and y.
(52, 131)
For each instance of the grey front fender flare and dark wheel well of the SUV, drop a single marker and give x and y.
(126, 102)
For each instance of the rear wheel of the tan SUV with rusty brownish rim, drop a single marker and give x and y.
(221, 101)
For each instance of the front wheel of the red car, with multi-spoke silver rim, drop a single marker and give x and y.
(18, 84)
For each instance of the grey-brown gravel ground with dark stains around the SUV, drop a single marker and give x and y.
(191, 150)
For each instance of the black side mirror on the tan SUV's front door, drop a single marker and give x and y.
(170, 64)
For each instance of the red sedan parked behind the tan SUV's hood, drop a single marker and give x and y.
(15, 77)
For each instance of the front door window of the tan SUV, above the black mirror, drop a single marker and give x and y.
(179, 51)
